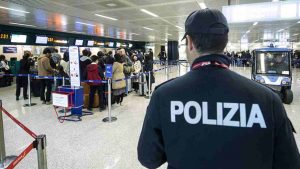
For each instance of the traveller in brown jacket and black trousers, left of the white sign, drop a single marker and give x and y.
(45, 69)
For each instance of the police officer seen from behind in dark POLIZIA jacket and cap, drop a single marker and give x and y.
(213, 118)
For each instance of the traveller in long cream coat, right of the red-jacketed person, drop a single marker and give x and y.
(118, 73)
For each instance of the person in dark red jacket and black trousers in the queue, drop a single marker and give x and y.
(94, 72)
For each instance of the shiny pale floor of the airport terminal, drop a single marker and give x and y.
(92, 144)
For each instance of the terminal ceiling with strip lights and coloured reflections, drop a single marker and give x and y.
(62, 15)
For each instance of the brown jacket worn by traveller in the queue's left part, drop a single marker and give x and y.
(44, 68)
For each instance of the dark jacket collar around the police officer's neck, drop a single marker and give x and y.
(222, 59)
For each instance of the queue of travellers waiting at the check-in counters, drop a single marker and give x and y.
(92, 67)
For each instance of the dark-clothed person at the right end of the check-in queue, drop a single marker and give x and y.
(148, 67)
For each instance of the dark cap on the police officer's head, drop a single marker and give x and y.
(206, 21)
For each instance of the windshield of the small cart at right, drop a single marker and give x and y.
(273, 63)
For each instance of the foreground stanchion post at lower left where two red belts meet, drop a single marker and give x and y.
(41, 151)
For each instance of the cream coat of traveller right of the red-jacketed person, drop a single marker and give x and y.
(118, 74)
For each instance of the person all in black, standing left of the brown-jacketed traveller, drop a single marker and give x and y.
(22, 81)
